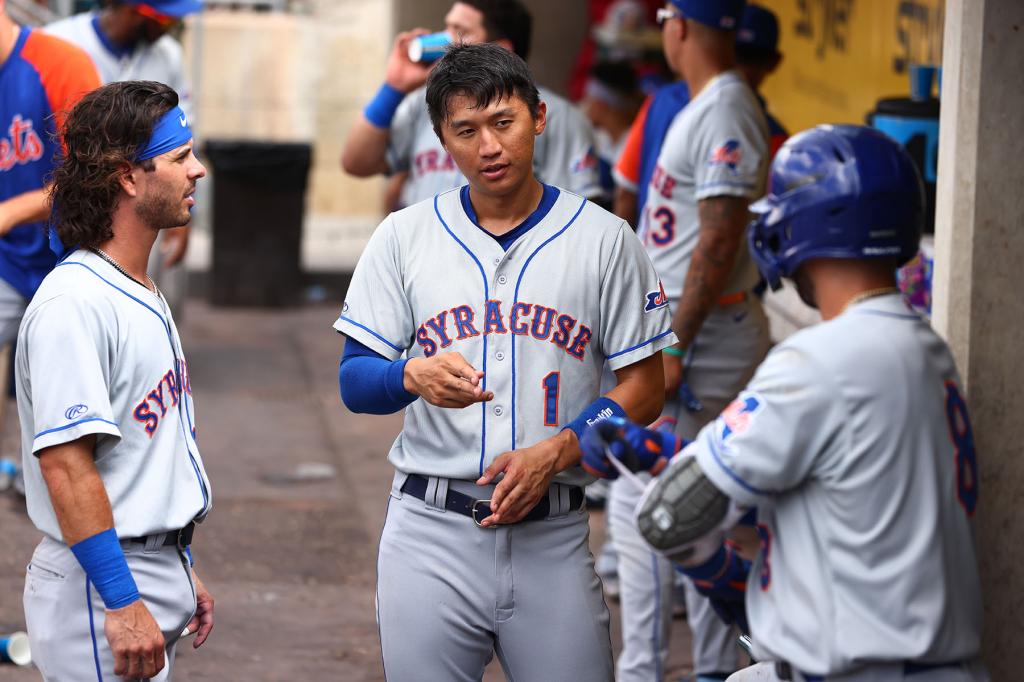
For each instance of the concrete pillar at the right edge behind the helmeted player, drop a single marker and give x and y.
(979, 304)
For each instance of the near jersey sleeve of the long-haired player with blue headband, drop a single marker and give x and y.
(65, 352)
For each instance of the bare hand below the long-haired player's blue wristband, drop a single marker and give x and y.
(136, 641)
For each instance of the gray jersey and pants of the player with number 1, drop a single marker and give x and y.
(541, 320)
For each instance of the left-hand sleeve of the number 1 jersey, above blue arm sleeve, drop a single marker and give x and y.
(377, 312)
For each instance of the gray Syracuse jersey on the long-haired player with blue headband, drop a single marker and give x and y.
(99, 354)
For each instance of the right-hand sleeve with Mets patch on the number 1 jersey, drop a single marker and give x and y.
(635, 318)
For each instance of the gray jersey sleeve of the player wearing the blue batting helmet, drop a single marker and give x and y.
(772, 437)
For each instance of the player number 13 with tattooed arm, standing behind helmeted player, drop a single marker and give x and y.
(713, 162)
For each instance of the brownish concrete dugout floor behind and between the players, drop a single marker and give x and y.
(290, 562)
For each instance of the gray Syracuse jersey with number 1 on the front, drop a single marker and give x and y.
(540, 320)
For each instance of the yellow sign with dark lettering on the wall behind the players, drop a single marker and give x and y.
(841, 57)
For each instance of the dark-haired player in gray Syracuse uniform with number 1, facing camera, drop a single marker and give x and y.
(490, 311)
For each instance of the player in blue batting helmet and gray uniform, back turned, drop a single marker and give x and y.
(867, 569)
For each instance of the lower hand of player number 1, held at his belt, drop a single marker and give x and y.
(528, 477)
